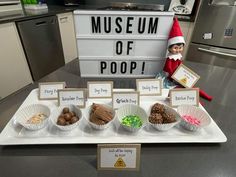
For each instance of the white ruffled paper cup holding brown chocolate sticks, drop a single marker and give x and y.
(87, 113)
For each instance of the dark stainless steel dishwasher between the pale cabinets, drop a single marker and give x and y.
(42, 45)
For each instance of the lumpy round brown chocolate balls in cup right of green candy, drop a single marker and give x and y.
(160, 116)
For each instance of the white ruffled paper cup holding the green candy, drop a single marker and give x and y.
(131, 109)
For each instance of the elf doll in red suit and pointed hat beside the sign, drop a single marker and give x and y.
(176, 44)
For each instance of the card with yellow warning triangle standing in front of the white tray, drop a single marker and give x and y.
(118, 157)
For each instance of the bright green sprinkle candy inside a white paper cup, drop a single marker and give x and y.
(132, 121)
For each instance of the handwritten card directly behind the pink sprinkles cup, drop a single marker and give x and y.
(184, 97)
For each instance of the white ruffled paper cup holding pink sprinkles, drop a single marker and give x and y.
(195, 112)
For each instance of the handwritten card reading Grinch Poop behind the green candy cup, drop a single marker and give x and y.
(121, 98)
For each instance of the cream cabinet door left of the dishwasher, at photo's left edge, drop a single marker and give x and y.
(14, 70)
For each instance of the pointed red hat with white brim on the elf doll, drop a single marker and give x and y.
(176, 35)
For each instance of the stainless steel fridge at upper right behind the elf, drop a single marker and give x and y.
(214, 36)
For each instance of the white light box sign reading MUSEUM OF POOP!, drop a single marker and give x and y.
(122, 43)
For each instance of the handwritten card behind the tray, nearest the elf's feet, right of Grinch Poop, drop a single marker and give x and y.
(149, 86)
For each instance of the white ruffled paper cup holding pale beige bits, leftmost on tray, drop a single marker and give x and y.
(23, 116)
